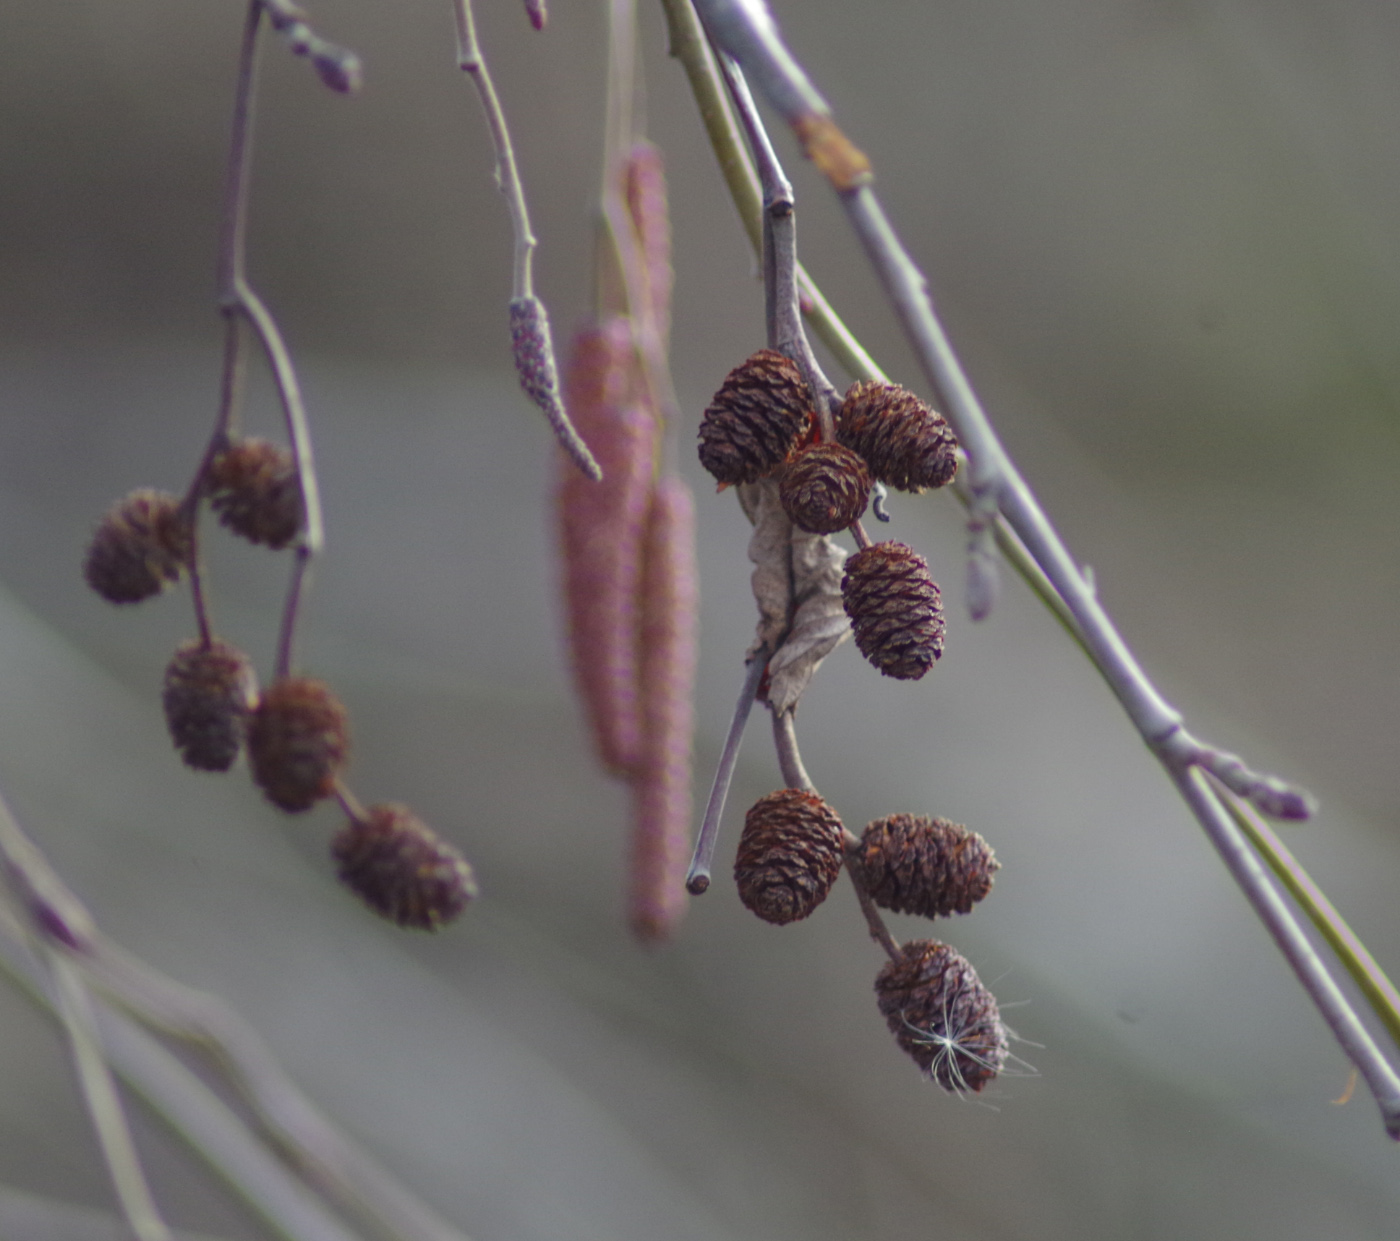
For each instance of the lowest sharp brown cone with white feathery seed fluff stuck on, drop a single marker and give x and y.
(941, 1015)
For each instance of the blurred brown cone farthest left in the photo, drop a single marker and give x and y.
(142, 546)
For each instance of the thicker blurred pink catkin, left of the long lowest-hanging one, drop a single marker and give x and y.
(600, 537)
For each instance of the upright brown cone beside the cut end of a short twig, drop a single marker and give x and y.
(790, 855)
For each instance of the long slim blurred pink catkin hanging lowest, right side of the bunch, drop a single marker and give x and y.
(661, 791)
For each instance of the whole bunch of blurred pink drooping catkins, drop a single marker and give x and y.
(629, 574)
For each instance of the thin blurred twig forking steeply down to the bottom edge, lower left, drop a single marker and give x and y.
(104, 1104)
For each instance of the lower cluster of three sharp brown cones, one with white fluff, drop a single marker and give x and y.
(793, 850)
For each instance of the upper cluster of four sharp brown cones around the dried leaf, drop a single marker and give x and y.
(762, 422)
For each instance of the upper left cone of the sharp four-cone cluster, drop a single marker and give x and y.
(762, 411)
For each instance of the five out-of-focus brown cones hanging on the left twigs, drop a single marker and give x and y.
(296, 730)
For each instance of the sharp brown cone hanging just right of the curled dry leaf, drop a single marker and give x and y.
(895, 609)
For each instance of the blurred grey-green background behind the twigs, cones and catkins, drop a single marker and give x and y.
(1165, 237)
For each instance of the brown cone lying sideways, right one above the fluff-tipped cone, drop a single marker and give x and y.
(933, 868)
